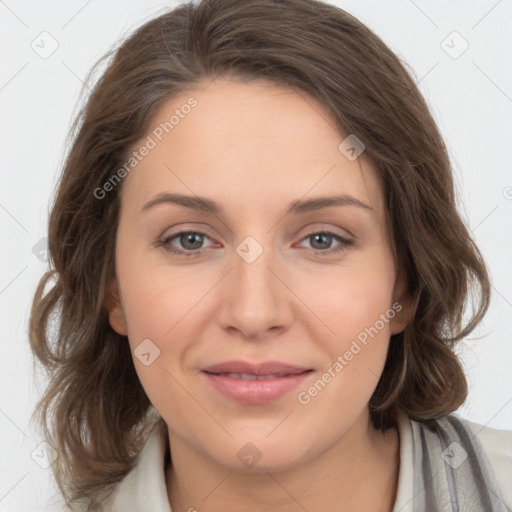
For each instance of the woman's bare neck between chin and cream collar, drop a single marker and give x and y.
(359, 472)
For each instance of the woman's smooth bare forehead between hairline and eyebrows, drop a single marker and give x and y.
(247, 145)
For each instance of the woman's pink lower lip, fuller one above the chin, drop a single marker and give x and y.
(256, 392)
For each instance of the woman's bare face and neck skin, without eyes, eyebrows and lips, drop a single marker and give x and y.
(254, 148)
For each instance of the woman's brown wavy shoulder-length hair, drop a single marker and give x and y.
(94, 410)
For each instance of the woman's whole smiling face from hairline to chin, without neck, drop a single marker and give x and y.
(257, 315)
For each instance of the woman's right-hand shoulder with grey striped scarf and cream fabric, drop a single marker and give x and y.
(469, 462)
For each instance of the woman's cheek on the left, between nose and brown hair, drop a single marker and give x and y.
(165, 306)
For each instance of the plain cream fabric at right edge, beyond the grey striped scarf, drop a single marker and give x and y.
(497, 445)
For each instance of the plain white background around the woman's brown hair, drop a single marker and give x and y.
(470, 96)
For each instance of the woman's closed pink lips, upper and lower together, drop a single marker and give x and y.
(255, 392)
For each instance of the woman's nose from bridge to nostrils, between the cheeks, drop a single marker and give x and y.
(256, 300)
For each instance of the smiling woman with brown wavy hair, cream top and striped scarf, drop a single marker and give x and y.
(260, 277)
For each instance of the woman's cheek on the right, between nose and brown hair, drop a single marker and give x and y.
(358, 312)
